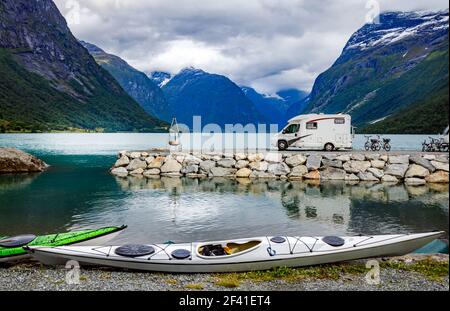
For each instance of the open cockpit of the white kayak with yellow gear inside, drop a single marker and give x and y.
(227, 249)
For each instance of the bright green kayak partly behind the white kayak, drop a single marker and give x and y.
(11, 248)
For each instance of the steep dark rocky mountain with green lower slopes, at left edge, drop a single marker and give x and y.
(48, 81)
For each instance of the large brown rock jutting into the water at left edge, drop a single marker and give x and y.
(16, 161)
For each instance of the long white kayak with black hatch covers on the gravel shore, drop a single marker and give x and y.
(261, 253)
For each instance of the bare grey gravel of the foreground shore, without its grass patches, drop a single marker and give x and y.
(29, 276)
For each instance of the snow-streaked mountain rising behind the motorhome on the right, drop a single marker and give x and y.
(387, 68)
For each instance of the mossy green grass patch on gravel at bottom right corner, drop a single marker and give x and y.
(433, 270)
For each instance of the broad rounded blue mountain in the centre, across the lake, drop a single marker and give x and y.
(194, 92)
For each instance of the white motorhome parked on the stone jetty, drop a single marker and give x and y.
(317, 132)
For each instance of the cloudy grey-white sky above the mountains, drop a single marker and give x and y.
(267, 44)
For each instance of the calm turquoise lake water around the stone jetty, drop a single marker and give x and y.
(78, 192)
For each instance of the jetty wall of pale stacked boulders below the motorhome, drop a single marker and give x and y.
(413, 170)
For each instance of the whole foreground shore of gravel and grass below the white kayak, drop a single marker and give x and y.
(412, 273)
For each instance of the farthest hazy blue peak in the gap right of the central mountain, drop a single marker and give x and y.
(274, 107)
